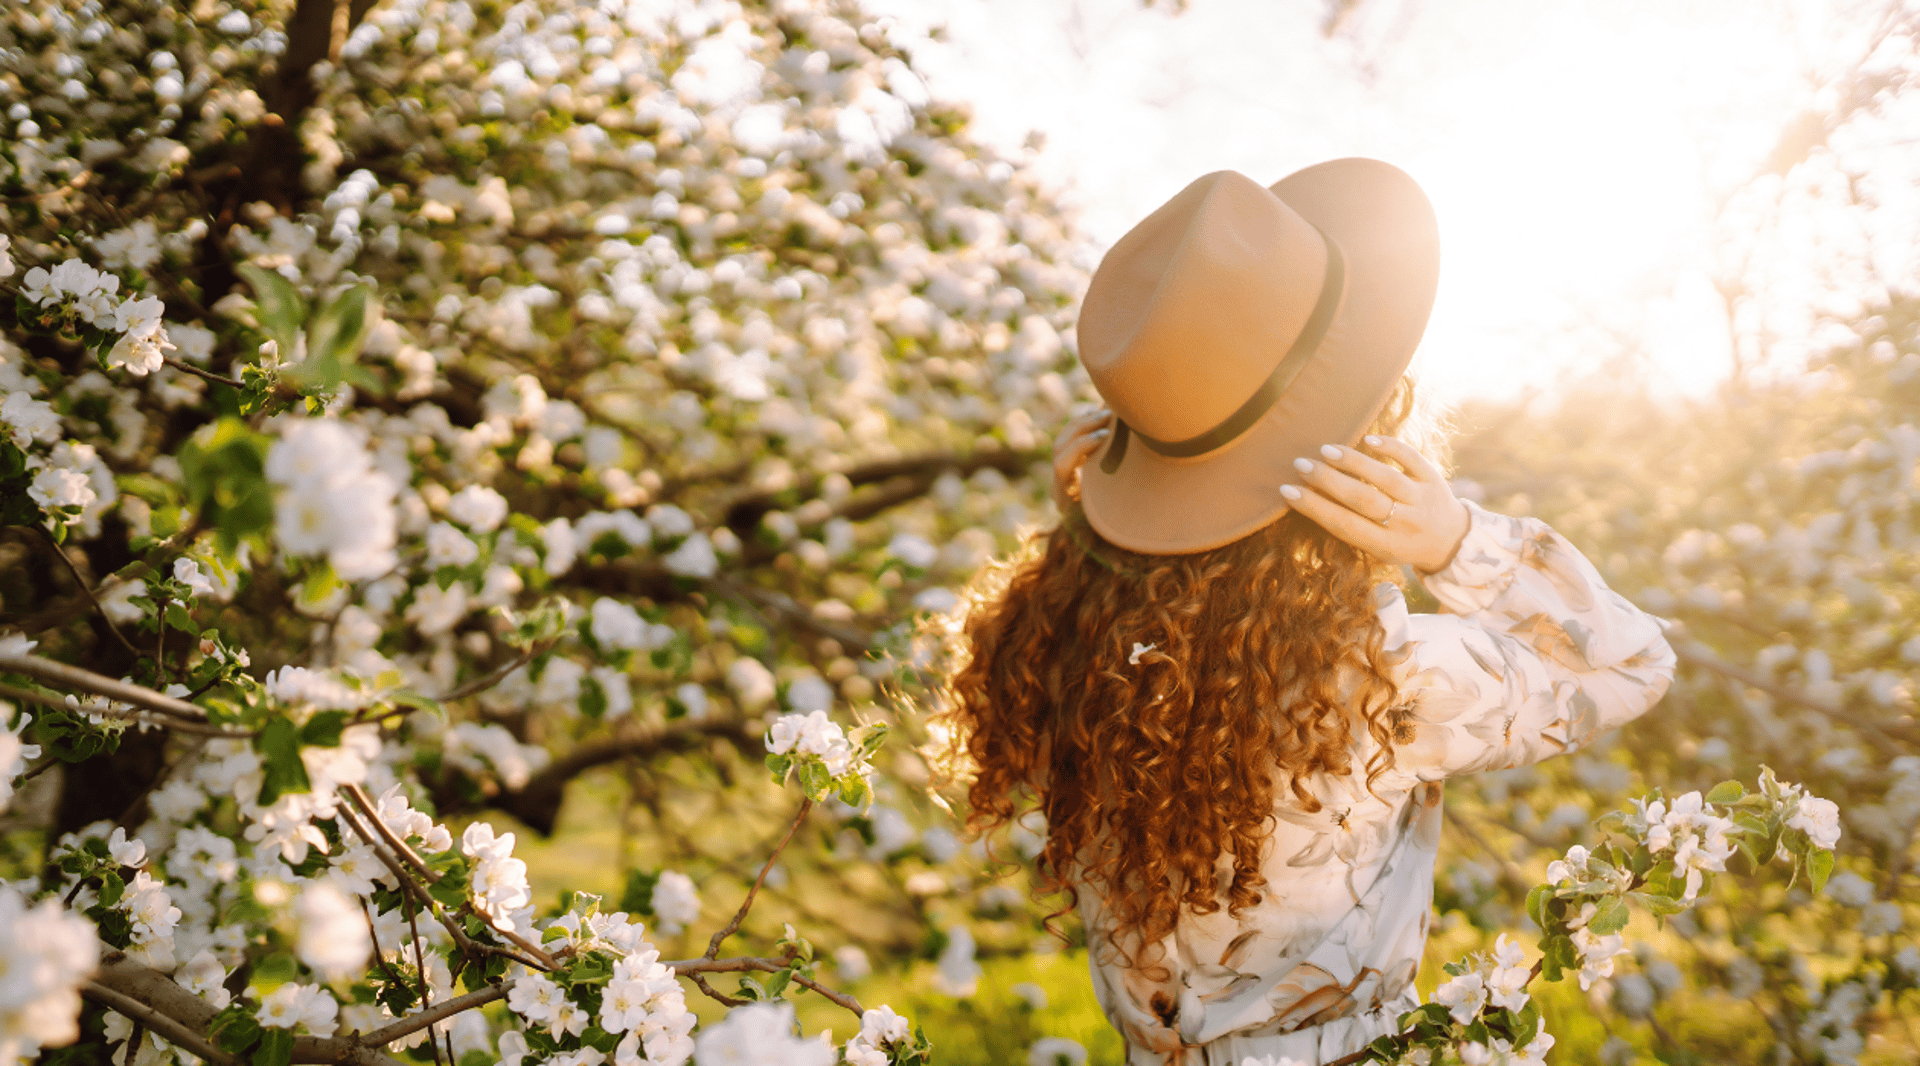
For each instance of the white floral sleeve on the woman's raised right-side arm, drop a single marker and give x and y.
(1533, 658)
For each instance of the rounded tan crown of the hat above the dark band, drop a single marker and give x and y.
(1191, 310)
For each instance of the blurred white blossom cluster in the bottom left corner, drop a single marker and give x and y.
(49, 954)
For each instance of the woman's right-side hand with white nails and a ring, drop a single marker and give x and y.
(1395, 514)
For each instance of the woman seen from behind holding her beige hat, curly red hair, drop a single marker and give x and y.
(1236, 731)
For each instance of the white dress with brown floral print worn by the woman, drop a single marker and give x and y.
(1533, 660)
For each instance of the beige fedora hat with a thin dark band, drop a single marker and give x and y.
(1241, 327)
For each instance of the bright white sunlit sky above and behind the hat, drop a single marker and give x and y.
(1575, 153)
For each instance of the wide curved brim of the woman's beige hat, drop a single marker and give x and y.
(1387, 233)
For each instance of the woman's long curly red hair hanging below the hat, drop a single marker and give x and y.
(1153, 767)
